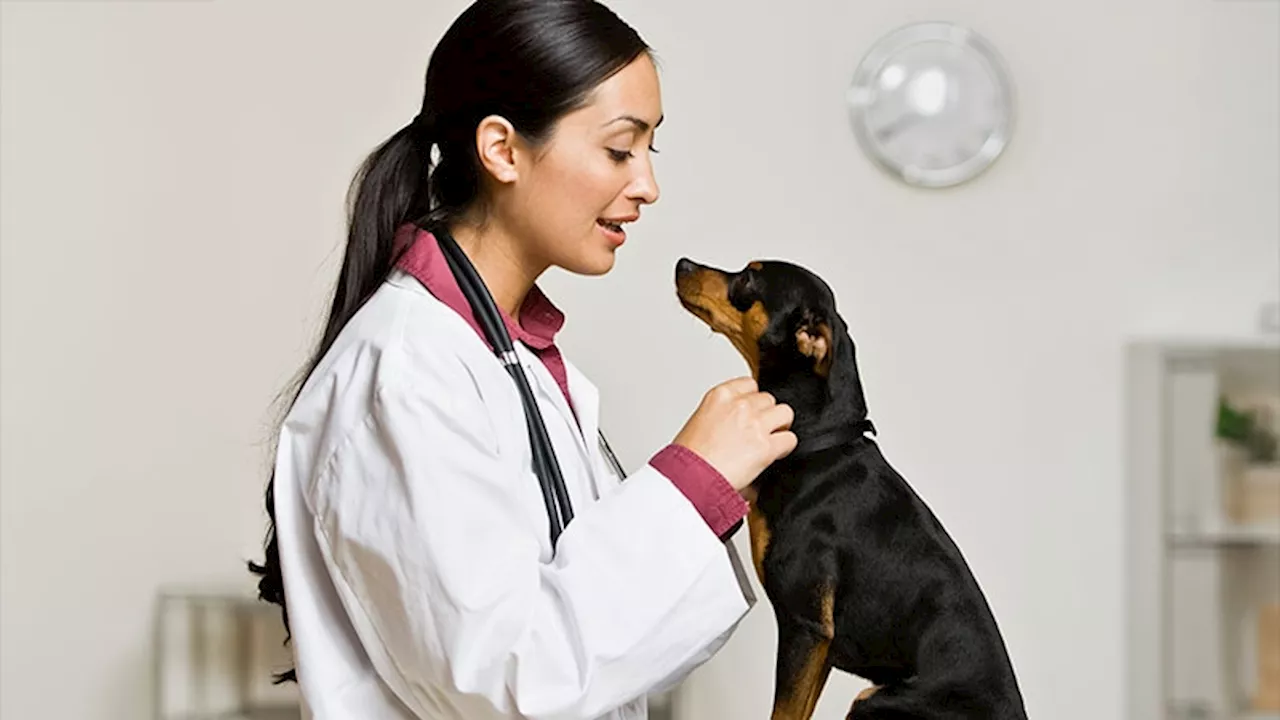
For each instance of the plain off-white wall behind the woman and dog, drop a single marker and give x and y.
(171, 207)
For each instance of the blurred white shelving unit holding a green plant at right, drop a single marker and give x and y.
(1204, 587)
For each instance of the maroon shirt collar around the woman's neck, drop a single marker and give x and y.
(540, 318)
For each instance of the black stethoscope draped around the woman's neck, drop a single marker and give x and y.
(555, 495)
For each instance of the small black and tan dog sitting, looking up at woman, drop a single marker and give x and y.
(861, 575)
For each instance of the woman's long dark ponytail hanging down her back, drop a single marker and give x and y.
(391, 189)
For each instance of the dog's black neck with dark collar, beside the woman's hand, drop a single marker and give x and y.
(829, 412)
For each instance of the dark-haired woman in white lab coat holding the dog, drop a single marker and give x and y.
(410, 541)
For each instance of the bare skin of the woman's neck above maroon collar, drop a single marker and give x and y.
(508, 272)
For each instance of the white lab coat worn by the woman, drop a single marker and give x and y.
(414, 540)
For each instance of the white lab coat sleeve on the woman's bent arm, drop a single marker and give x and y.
(432, 544)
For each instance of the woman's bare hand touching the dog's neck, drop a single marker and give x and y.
(739, 431)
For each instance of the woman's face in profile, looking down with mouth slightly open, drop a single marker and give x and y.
(569, 200)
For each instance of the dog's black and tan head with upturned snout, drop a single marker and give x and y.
(779, 316)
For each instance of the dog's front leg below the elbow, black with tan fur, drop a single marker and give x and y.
(803, 664)
